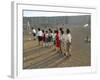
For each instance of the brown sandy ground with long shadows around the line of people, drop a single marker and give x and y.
(35, 56)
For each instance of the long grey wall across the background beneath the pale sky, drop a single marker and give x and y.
(73, 20)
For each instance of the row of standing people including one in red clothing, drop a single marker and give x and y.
(59, 39)
